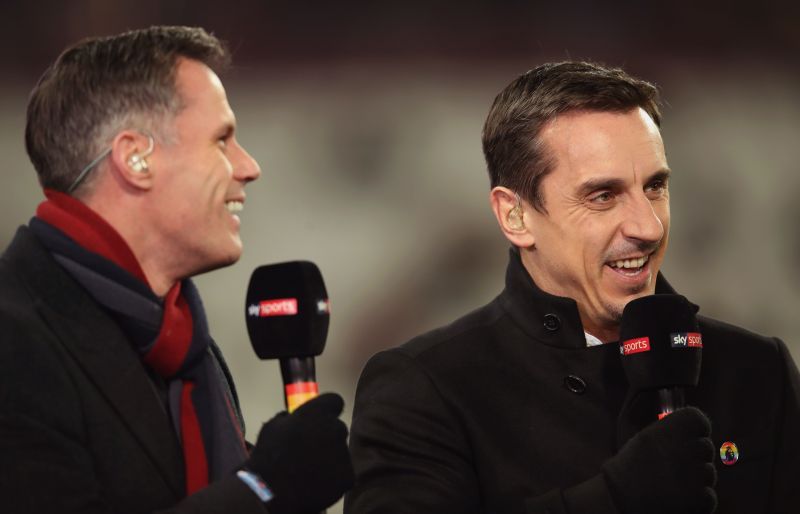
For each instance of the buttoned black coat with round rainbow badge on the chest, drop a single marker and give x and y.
(498, 410)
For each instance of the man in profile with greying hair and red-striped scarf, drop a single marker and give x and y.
(114, 398)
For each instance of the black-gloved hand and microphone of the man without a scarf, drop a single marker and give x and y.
(668, 466)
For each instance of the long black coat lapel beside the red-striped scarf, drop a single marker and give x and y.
(101, 350)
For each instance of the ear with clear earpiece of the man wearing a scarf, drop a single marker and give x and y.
(129, 152)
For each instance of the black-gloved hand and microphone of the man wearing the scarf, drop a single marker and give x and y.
(301, 455)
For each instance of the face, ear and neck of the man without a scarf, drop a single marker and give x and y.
(601, 237)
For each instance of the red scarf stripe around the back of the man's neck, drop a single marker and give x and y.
(89, 230)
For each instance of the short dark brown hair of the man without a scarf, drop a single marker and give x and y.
(515, 154)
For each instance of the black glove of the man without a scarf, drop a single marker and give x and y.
(666, 468)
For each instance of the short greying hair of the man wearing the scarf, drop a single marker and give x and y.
(102, 85)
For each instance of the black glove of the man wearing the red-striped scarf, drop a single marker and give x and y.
(303, 457)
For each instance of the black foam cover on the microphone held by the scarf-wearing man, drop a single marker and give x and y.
(287, 310)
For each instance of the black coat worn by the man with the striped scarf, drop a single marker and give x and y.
(82, 428)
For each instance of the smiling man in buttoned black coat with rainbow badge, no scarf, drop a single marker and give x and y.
(523, 405)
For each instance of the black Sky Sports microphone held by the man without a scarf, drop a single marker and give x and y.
(661, 347)
